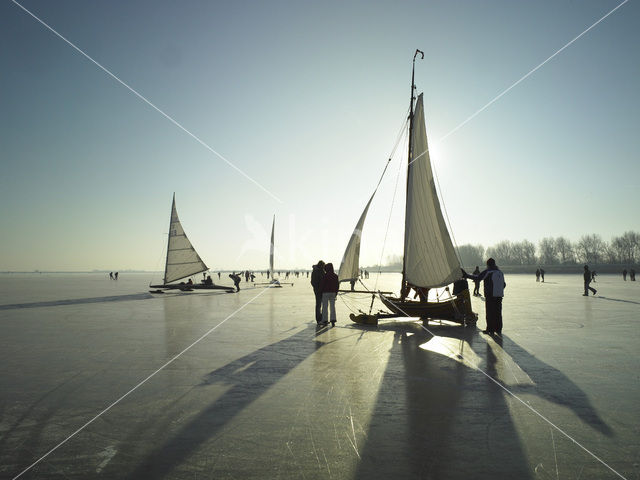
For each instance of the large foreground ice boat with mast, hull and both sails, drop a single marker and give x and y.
(429, 259)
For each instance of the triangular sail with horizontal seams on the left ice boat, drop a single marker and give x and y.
(182, 259)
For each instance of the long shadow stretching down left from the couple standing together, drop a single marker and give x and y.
(247, 378)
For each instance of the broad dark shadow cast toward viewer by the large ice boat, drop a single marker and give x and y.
(435, 416)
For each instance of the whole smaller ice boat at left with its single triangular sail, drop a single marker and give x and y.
(183, 260)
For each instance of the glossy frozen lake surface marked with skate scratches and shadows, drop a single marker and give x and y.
(113, 372)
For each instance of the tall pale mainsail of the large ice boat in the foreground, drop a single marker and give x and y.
(429, 257)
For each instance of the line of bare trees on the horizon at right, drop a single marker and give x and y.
(590, 249)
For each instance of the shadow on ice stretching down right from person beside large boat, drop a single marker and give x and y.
(552, 385)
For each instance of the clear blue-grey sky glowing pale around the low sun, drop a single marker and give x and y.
(307, 99)
